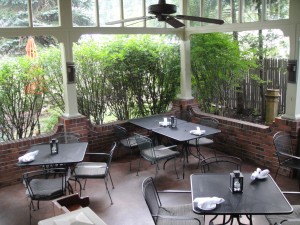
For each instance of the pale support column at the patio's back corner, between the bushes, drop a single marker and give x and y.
(185, 77)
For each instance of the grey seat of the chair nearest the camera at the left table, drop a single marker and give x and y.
(46, 188)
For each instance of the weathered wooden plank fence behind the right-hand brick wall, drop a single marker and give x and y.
(275, 76)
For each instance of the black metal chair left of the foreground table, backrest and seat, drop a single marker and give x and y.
(168, 215)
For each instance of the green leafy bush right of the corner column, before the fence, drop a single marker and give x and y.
(217, 66)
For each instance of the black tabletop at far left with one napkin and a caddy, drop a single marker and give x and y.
(68, 154)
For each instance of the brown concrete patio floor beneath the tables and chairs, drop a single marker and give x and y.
(129, 207)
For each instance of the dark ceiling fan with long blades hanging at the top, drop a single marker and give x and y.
(162, 11)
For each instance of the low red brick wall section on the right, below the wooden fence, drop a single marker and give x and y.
(252, 142)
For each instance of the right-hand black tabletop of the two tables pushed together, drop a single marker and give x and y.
(182, 133)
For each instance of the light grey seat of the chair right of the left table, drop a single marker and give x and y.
(90, 169)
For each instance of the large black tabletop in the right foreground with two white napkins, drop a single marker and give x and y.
(258, 197)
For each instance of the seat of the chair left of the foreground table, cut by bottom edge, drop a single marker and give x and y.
(185, 210)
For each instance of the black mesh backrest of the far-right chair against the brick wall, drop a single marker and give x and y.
(283, 144)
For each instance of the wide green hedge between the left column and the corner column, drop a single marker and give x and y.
(132, 76)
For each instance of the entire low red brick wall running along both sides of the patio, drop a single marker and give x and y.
(249, 141)
